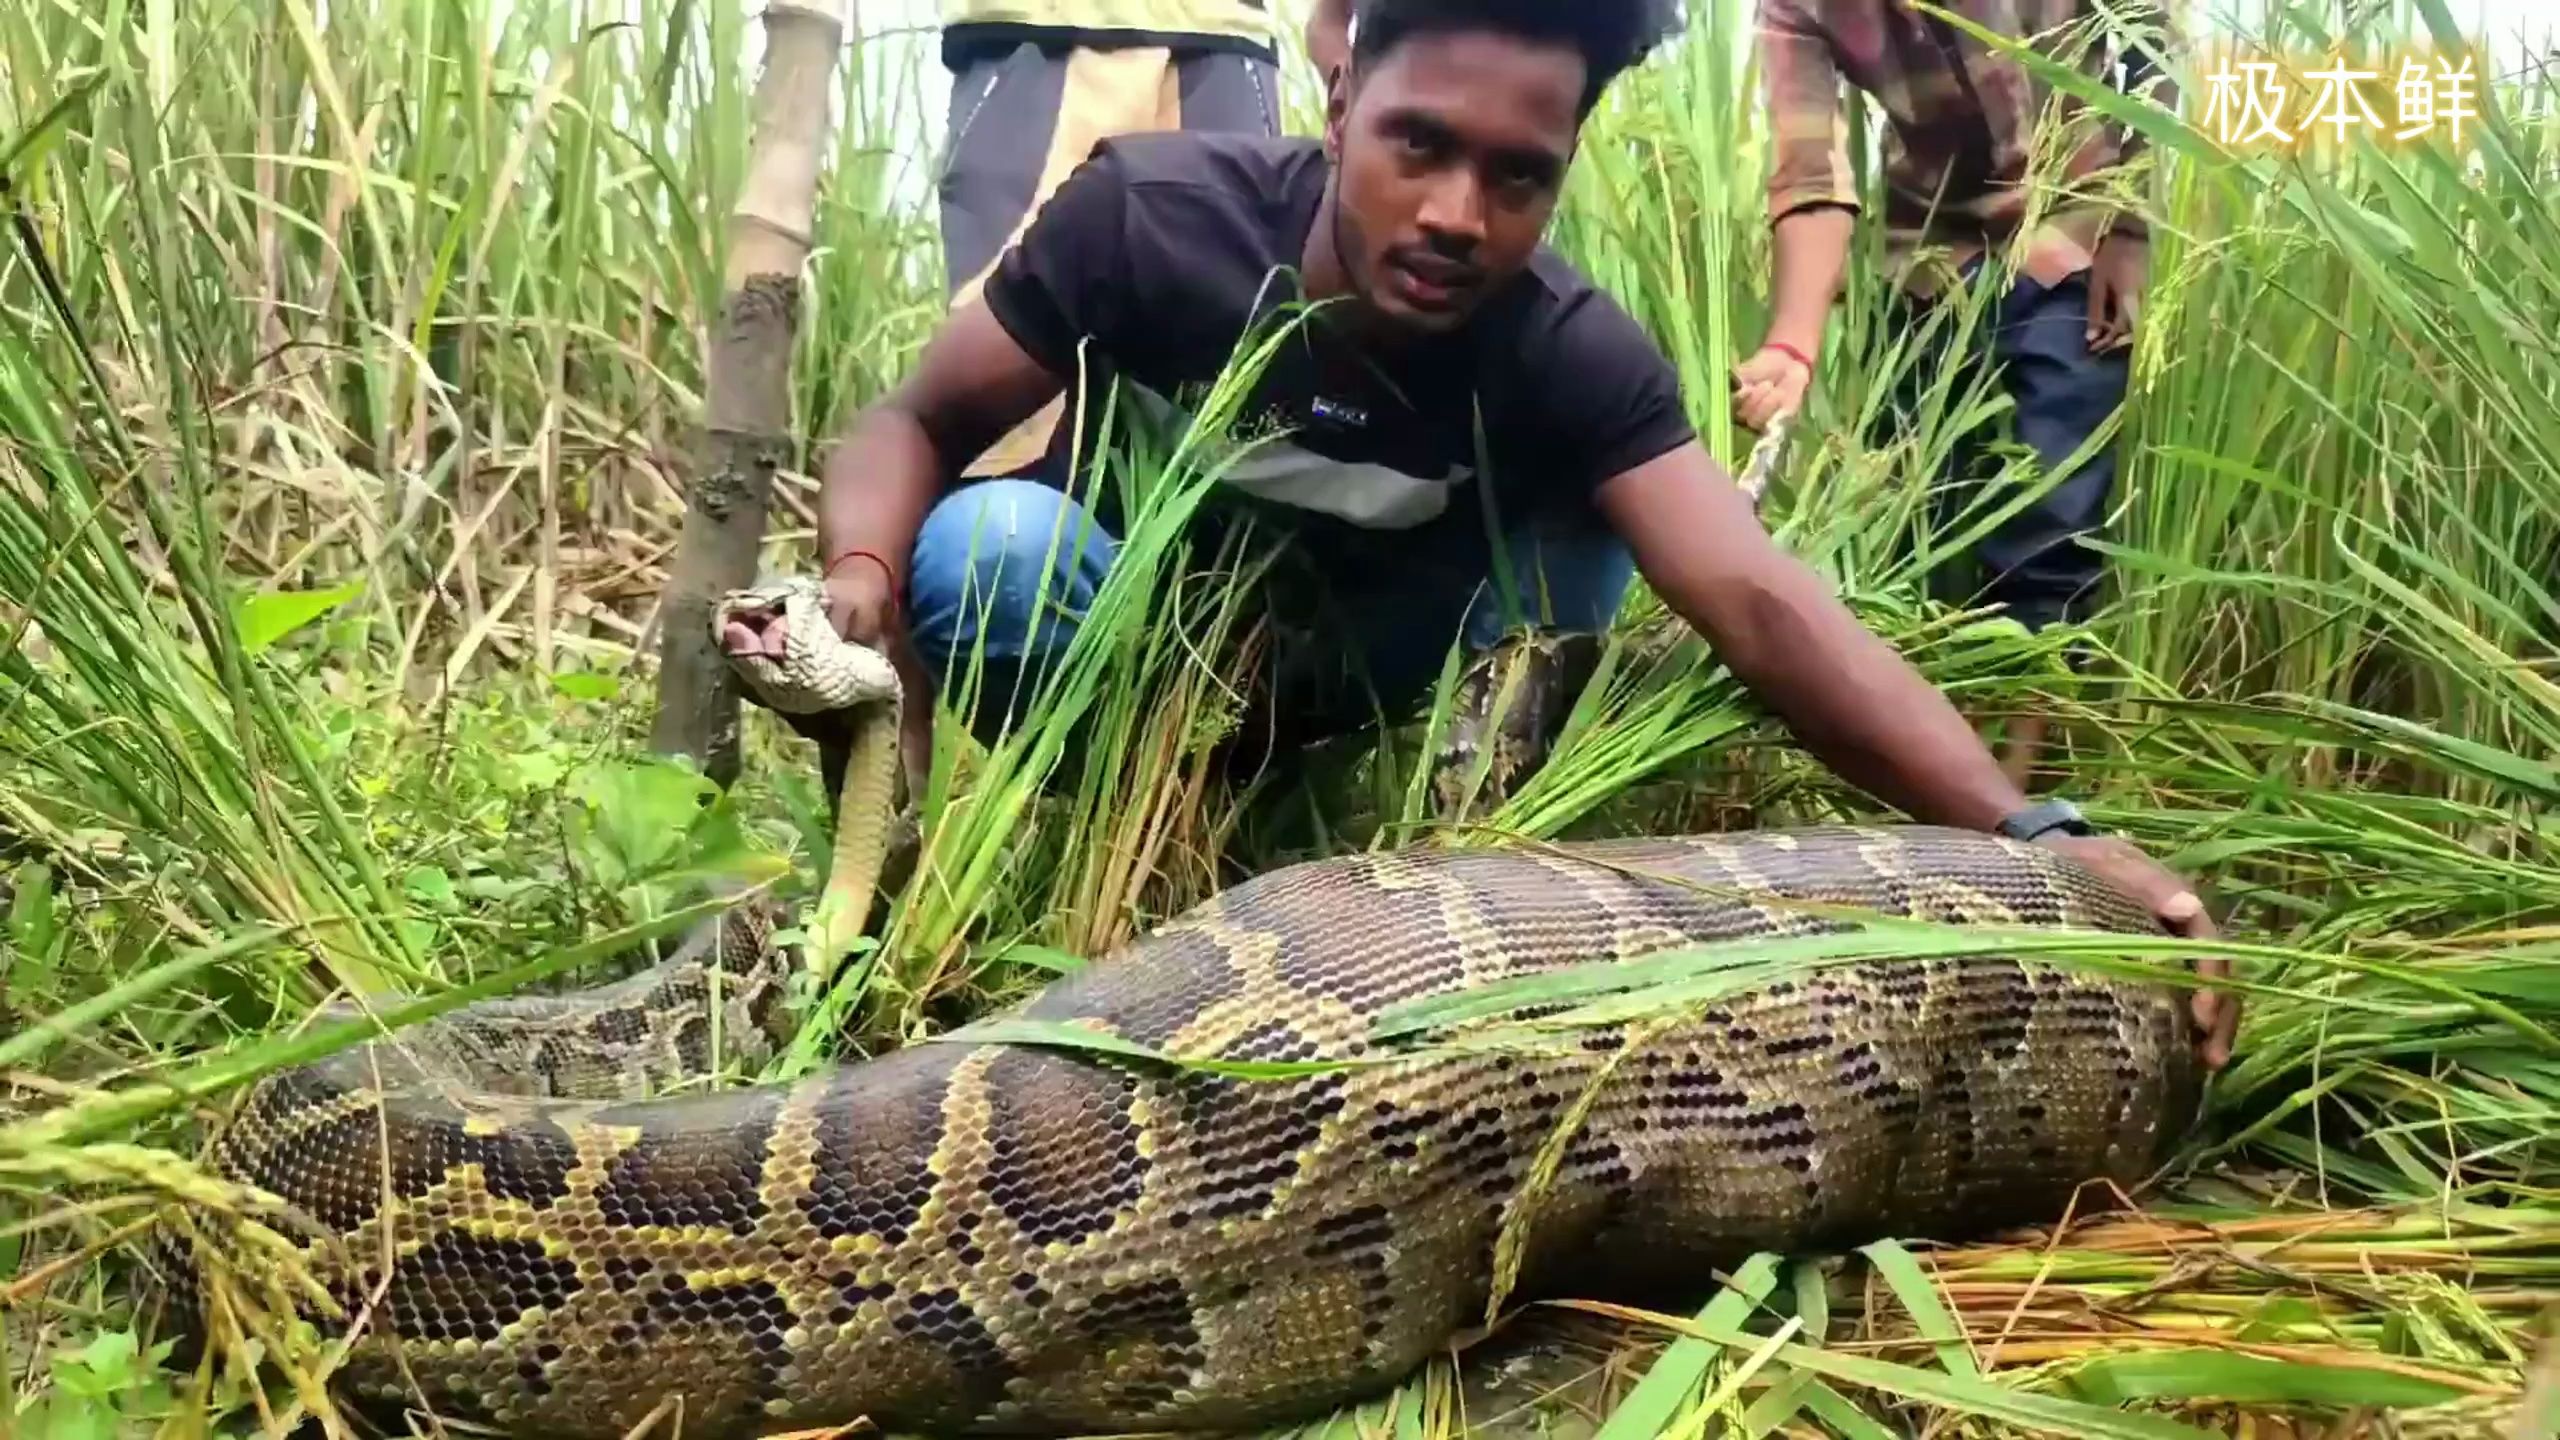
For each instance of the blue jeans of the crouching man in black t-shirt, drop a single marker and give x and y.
(1007, 568)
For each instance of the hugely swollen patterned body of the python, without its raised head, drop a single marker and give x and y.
(1015, 1239)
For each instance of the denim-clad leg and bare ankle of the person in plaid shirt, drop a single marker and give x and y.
(2036, 562)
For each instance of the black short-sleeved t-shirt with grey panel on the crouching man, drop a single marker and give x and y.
(1161, 252)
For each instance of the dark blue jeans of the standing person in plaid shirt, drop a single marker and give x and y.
(2034, 562)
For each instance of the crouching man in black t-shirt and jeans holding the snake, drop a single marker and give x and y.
(1417, 224)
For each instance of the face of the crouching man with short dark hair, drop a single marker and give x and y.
(1450, 155)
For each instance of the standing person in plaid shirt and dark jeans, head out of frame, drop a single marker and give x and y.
(1962, 122)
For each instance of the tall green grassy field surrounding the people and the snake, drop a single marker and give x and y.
(352, 370)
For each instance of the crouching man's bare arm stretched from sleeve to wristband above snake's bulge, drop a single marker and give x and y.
(1842, 691)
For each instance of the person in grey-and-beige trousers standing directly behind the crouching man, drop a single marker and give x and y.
(1041, 83)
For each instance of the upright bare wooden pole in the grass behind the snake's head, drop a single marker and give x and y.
(749, 380)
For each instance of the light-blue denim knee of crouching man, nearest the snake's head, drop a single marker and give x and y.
(1005, 568)
